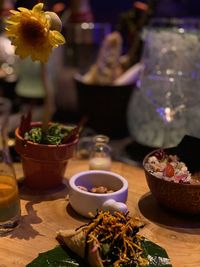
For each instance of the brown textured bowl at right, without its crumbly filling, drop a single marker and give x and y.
(177, 197)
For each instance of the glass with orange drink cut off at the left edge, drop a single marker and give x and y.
(10, 211)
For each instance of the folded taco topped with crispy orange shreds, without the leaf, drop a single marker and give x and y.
(108, 239)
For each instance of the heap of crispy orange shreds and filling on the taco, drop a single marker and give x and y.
(116, 236)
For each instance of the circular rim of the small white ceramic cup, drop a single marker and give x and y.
(73, 179)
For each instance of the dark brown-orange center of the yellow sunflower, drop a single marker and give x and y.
(32, 31)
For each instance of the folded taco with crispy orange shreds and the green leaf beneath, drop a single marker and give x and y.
(109, 239)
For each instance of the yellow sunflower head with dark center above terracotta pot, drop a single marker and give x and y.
(32, 33)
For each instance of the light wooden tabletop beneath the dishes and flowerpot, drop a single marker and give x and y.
(44, 214)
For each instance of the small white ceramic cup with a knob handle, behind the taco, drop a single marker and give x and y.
(84, 202)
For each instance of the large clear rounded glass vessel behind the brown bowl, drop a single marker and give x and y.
(161, 109)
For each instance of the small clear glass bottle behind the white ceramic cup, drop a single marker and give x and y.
(100, 155)
